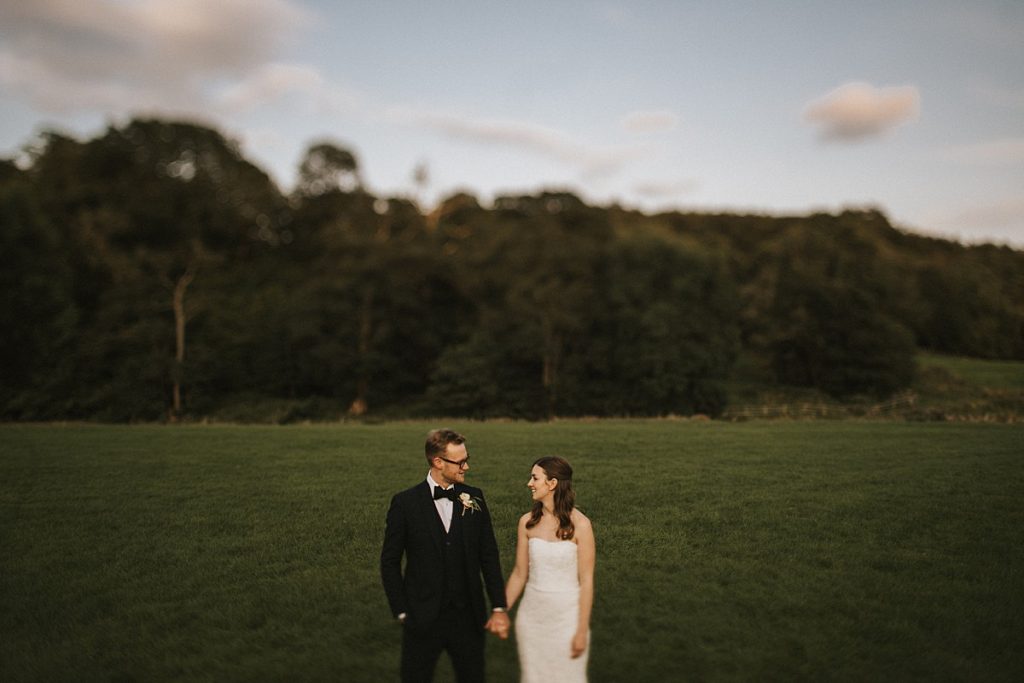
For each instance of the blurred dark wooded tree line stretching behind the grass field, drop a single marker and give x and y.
(154, 273)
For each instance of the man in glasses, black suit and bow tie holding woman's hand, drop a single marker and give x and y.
(443, 528)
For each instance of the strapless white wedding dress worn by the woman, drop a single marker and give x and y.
(548, 616)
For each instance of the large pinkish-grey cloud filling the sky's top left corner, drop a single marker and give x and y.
(75, 55)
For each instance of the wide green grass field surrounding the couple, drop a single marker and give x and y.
(848, 551)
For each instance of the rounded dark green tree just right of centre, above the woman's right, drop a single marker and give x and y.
(668, 337)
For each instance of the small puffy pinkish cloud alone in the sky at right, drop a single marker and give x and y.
(860, 111)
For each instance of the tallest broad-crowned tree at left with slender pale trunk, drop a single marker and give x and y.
(154, 203)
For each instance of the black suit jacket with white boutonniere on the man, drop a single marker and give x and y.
(415, 530)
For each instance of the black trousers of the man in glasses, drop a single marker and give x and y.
(459, 632)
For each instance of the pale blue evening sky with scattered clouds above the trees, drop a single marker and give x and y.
(914, 108)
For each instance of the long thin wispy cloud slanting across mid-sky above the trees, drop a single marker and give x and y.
(592, 160)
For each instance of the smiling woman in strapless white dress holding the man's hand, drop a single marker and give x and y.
(554, 572)
